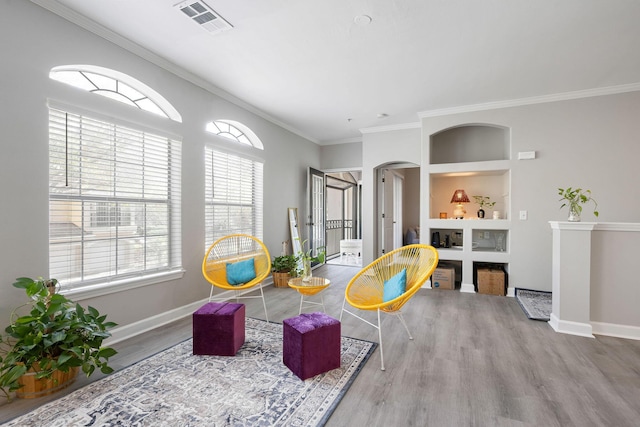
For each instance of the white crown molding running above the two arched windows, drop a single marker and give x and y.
(115, 38)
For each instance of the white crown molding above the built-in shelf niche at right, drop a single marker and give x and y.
(564, 96)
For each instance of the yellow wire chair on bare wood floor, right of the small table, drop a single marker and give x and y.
(365, 290)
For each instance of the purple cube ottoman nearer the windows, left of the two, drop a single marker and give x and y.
(218, 329)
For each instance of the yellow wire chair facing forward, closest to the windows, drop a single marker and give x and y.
(231, 249)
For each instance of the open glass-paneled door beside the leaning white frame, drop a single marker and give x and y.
(316, 213)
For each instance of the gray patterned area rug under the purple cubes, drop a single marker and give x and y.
(176, 388)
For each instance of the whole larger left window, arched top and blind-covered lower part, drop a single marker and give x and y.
(114, 188)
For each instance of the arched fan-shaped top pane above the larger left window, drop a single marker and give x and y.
(115, 85)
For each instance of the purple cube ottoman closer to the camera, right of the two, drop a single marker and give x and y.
(311, 344)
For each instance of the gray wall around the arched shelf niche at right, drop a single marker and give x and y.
(590, 143)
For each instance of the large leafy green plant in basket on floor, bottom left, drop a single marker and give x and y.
(50, 343)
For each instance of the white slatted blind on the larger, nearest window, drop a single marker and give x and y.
(114, 201)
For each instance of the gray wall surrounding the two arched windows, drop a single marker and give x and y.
(29, 52)
